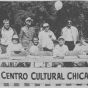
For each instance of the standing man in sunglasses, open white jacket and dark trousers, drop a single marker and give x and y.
(70, 34)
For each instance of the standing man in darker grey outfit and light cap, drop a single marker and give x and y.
(27, 33)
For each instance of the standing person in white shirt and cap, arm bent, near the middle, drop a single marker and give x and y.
(46, 38)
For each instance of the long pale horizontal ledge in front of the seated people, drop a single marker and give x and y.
(45, 59)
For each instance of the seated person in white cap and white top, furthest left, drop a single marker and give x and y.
(14, 46)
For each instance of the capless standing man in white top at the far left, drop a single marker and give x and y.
(6, 34)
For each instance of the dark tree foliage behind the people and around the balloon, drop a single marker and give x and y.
(41, 11)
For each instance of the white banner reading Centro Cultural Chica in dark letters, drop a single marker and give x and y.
(44, 75)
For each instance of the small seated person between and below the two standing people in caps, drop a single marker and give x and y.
(35, 47)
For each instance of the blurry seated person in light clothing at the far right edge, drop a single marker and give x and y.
(82, 46)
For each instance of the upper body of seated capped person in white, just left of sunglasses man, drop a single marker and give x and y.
(60, 49)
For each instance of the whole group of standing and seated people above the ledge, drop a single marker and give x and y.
(44, 43)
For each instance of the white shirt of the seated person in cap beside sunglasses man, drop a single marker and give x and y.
(60, 50)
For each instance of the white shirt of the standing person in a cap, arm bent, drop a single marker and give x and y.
(45, 40)
